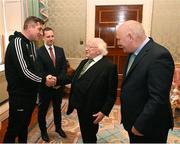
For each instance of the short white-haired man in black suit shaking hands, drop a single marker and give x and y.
(93, 89)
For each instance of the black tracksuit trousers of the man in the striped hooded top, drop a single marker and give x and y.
(20, 110)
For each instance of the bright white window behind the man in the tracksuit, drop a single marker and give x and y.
(11, 19)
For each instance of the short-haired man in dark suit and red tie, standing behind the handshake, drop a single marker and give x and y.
(52, 61)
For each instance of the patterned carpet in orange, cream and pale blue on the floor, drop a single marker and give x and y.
(110, 130)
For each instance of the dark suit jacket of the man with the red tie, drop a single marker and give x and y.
(46, 66)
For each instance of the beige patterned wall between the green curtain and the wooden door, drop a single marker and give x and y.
(68, 19)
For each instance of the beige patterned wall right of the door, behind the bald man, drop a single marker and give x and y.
(166, 25)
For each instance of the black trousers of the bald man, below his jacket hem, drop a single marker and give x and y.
(148, 139)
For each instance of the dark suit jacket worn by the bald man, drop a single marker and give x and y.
(145, 91)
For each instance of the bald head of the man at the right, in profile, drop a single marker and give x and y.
(130, 35)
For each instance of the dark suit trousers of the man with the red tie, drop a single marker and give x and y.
(44, 101)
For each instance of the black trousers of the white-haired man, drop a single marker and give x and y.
(88, 129)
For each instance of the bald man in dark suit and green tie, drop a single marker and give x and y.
(145, 106)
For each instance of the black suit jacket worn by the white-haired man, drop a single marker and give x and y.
(96, 89)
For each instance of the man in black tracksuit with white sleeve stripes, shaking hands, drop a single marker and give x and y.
(21, 74)
